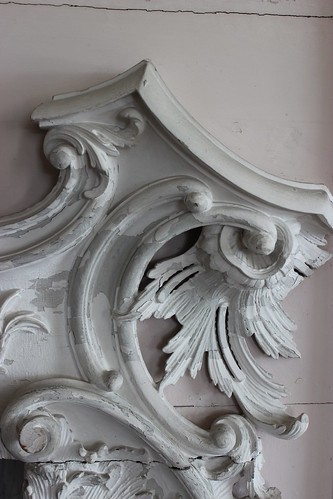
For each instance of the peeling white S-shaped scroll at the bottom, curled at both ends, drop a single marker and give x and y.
(32, 433)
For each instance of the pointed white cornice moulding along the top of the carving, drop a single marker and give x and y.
(177, 125)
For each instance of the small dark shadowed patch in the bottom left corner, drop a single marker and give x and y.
(11, 479)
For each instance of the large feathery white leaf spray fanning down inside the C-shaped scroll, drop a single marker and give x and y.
(225, 289)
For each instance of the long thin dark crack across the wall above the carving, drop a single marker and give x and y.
(163, 11)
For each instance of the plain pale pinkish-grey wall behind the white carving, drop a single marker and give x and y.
(260, 79)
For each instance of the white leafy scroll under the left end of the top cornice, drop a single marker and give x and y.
(86, 154)
